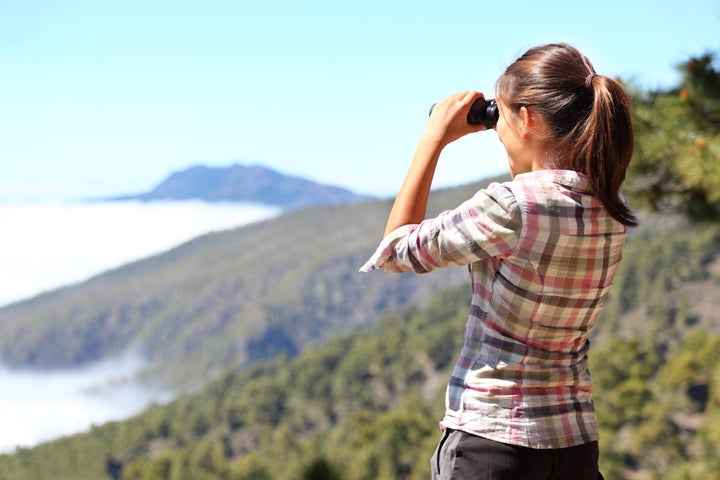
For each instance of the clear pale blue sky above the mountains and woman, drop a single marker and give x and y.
(111, 96)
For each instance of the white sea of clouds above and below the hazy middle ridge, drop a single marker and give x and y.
(52, 244)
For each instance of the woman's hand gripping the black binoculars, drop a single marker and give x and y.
(448, 120)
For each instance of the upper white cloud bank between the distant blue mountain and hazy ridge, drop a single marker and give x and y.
(48, 245)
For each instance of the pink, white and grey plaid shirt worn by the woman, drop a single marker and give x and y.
(542, 253)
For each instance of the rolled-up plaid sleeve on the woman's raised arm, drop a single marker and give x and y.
(487, 225)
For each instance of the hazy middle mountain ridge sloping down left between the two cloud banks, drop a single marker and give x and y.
(226, 299)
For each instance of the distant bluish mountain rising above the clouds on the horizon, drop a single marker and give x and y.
(239, 183)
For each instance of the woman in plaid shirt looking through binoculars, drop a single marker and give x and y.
(542, 250)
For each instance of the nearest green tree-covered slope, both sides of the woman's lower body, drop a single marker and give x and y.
(366, 405)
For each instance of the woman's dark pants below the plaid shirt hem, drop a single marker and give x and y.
(461, 456)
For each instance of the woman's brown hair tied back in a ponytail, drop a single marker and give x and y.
(588, 116)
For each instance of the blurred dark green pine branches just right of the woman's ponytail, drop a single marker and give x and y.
(676, 167)
